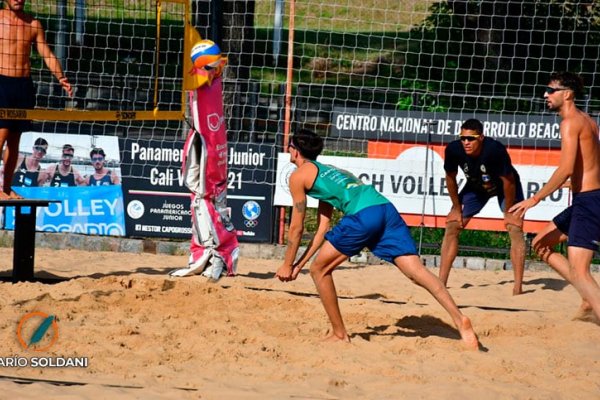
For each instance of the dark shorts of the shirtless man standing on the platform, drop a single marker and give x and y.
(16, 93)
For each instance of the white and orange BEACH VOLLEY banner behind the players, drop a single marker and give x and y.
(415, 183)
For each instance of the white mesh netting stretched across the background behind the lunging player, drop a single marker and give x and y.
(388, 82)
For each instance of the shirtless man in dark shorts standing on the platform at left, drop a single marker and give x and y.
(18, 33)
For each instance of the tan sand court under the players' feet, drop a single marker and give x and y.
(147, 335)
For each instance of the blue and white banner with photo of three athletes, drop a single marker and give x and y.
(81, 172)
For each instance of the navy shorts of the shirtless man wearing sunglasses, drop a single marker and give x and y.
(581, 221)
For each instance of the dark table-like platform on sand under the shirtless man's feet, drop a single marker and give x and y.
(24, 238)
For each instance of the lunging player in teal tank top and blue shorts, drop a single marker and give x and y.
(370, 220)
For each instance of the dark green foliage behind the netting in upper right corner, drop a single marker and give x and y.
(466, 47)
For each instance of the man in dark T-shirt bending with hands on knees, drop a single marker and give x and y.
(489, 172)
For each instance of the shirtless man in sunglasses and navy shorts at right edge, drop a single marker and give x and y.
(579, 223)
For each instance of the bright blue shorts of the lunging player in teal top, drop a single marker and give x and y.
(379, 228)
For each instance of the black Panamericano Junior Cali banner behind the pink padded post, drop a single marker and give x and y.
(157, 202)
